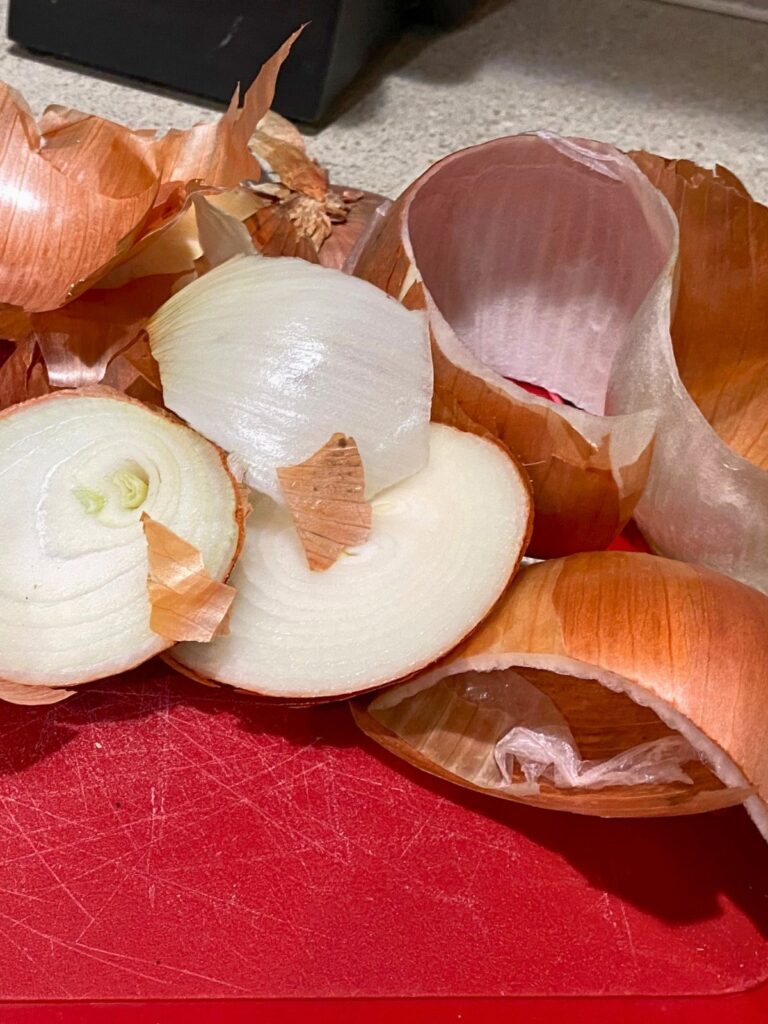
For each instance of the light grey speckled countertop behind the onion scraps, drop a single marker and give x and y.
(639, 74)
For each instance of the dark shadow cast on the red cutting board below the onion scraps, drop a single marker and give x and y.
(678, 870)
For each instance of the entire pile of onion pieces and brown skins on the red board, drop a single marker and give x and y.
(377, 541)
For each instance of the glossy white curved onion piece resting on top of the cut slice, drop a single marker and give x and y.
(270, 357)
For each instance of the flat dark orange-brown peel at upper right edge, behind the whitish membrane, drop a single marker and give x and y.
(718, 328)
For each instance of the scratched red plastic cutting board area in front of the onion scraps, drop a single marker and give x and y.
(162, 840)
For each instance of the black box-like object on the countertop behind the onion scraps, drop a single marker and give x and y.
(207, 47)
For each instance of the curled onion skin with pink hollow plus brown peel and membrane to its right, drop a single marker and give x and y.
(551, 262)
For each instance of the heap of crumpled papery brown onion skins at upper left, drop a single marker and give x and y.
(101, 224)
